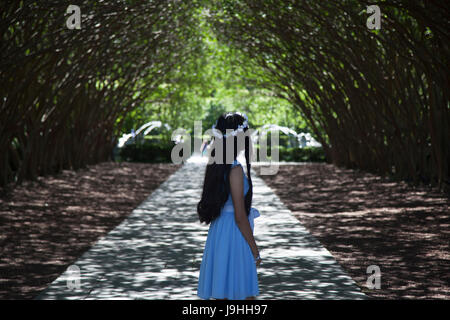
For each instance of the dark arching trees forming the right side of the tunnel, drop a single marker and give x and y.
(376, 99)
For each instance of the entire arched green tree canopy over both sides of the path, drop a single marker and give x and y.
(375, 99)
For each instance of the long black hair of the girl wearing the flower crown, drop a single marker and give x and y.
(216, 184)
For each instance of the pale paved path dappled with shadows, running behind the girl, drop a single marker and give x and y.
(156, 252)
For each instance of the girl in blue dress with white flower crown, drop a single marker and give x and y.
(230, 256)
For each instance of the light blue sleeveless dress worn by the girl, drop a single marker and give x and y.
(228, 269)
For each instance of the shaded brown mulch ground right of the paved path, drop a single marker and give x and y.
(364, 219)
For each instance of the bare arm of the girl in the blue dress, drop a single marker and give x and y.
(240, 215)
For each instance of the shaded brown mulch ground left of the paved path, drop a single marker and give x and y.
(45, 225)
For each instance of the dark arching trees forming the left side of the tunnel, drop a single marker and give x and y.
(65, 93)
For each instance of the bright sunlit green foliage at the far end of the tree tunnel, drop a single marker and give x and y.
(221, 79)
